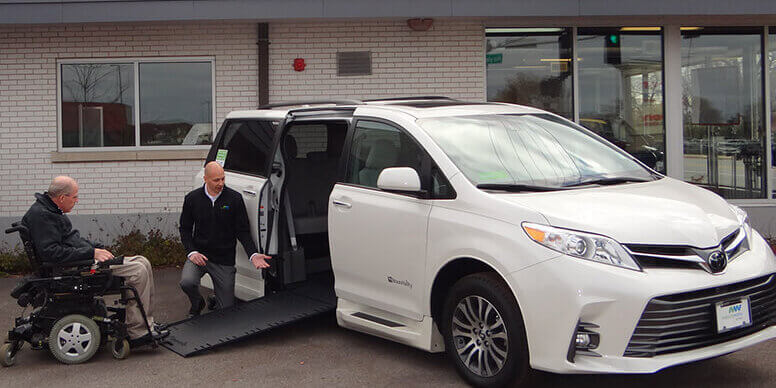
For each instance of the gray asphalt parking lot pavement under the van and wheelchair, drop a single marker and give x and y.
(317, 353)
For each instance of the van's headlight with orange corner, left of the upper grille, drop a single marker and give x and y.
(582, 245)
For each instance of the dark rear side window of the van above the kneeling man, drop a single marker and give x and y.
(247, 143)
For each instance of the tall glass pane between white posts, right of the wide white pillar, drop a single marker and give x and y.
(723, 110)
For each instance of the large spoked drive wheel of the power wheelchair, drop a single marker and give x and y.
(74, 339)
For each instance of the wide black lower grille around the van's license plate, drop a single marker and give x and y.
(680, 322)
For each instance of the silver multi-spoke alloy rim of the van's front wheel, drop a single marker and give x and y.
(480, 336)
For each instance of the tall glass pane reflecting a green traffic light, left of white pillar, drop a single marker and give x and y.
(621, 89)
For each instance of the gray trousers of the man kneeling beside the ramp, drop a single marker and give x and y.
(223, 282)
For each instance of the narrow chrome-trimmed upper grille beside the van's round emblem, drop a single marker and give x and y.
(686, 257)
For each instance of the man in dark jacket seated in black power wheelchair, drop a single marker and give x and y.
(72, 274)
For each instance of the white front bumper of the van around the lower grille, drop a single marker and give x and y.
(557, 294)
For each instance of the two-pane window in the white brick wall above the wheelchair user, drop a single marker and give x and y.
(101, 103)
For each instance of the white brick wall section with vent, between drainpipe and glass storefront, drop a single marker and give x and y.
(446, 60)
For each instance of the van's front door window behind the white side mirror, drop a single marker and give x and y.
(377, 146)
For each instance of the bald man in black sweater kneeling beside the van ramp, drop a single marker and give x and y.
(213, 218)
